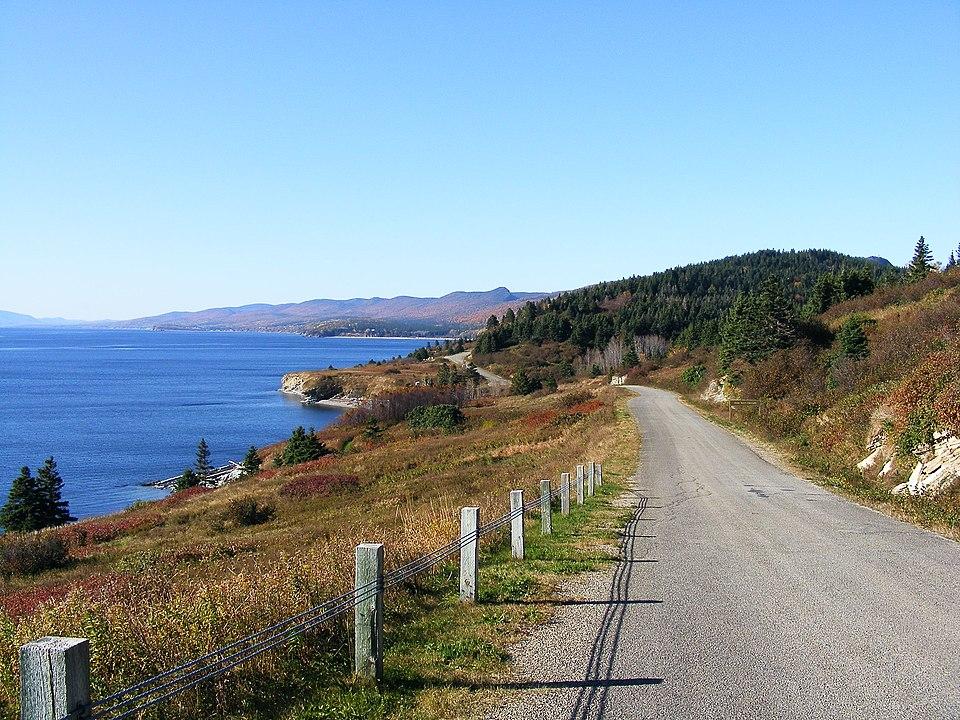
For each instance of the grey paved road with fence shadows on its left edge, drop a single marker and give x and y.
(746, 592)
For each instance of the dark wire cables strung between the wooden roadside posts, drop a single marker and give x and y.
(141, 696)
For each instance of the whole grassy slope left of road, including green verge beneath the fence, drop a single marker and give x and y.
(168, 581)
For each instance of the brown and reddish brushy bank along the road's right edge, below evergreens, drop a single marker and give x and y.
(822, 418)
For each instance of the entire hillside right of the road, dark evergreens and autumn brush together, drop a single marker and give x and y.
(849, 358)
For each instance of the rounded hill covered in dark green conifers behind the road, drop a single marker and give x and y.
(685, 303)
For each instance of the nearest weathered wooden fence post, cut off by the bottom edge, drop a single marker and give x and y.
(54, 678)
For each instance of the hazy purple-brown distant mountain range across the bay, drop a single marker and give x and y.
(403, 315)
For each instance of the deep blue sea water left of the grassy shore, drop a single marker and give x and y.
(117, 408)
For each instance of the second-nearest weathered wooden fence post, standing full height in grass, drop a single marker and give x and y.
(368, 613)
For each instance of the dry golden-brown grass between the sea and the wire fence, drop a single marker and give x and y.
(169, 581)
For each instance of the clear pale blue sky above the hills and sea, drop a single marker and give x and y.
(181, 155)
